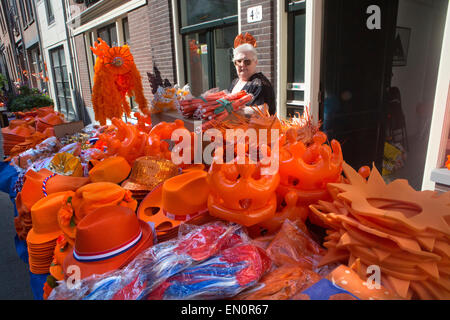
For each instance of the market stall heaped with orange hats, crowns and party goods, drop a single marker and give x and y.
(108, 214)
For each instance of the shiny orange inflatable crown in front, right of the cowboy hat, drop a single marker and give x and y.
(240, 192)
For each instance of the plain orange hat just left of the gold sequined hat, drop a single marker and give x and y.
(114, 169)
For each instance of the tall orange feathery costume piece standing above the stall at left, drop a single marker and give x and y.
(116, 76)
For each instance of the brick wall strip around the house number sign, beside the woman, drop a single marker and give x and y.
(264, 32)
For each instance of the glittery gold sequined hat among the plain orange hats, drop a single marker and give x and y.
(147, 174)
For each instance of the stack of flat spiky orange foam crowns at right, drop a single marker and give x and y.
(406, 233)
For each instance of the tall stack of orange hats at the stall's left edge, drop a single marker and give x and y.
(41, 240)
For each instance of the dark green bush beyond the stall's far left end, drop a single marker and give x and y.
(28, 99)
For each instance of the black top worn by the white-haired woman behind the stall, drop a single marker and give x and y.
(262, 90)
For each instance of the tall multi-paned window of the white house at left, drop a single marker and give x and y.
(62, 83)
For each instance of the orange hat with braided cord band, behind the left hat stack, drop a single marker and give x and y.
(35, 186)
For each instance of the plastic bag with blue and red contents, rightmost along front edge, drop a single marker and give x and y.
(223, 276)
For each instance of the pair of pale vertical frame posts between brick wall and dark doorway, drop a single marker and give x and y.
(313, 50)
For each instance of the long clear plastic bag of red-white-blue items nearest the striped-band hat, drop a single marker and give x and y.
(156, 264)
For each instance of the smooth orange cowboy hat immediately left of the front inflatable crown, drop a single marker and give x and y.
(179, 199)
